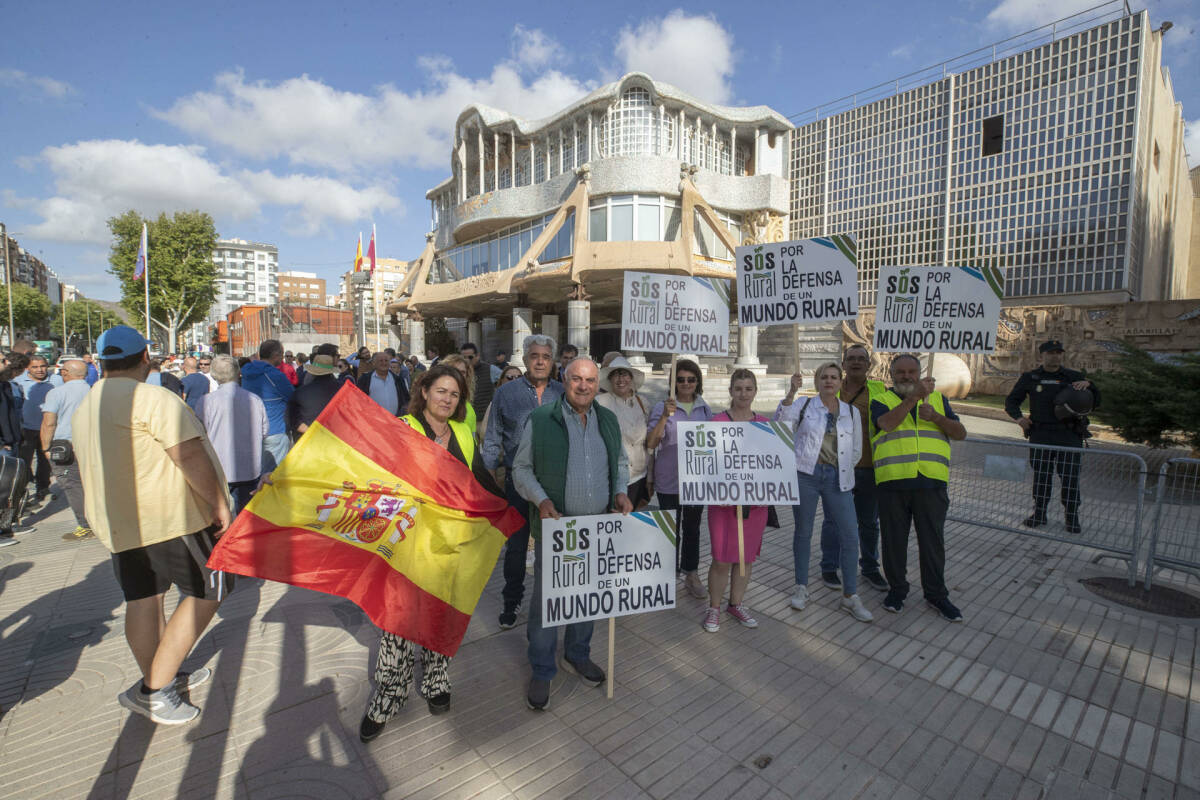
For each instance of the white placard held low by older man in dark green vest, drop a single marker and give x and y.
(607, 566)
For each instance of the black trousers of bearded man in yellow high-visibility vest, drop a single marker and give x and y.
(926, 510)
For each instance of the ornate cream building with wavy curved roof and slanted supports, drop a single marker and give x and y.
(541, 218)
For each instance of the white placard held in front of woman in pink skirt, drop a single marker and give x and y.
(737, 464)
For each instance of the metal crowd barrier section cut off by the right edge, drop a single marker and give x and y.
(1175, 537)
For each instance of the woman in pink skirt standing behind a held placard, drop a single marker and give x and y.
(723, 522)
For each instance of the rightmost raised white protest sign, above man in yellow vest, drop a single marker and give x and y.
(938, 309)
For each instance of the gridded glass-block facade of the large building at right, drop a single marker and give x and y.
(1028, 163)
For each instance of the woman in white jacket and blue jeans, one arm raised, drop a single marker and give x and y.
(829, 444)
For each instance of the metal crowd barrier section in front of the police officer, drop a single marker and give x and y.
(992, 485)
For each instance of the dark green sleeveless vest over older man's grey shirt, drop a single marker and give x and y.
(550, 455)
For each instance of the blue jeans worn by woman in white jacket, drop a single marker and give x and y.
(838, 507)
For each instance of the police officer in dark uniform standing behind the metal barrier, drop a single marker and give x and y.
(1045, 388)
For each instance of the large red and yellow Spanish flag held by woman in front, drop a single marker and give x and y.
(371, 510)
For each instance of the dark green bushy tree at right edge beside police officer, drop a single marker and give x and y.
(1153, 401)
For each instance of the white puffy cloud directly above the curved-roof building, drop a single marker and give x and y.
(693, 53)
